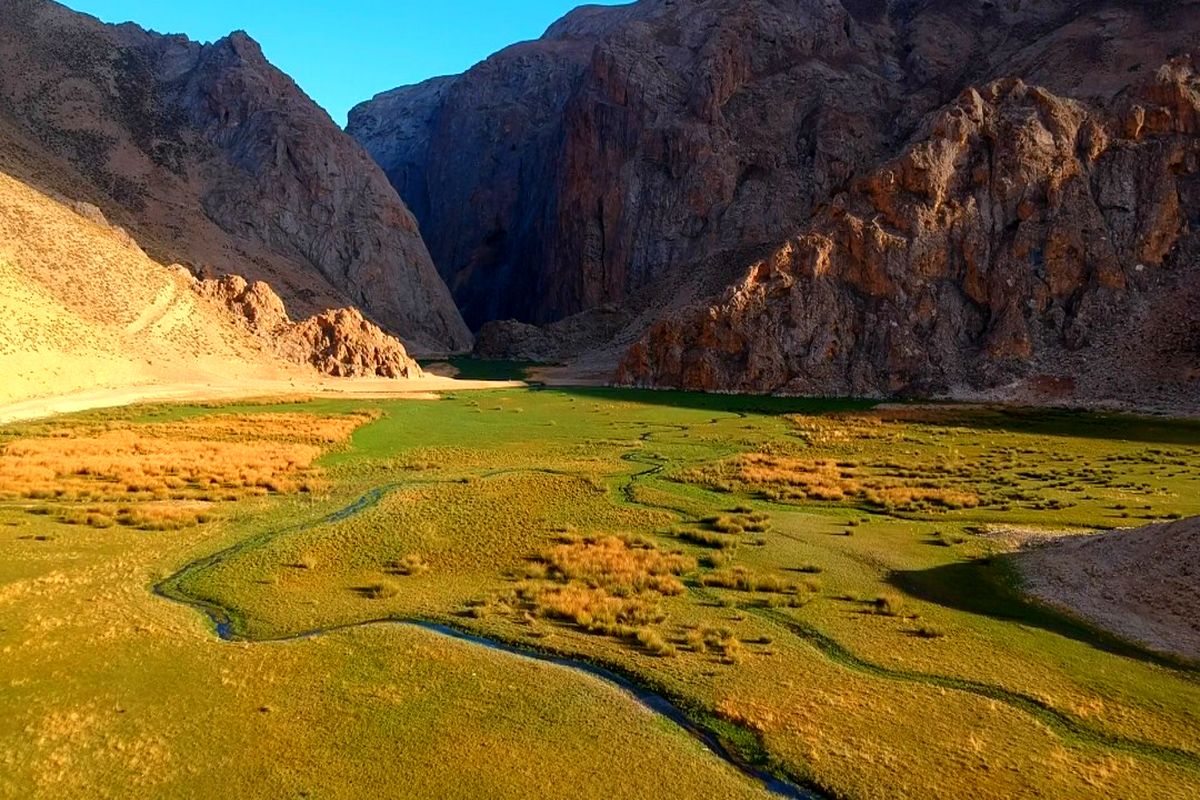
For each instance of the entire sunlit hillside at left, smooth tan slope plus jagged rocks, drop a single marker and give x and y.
(85, 309)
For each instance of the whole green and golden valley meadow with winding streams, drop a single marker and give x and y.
(821, 586)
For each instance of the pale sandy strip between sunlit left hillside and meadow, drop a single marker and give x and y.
(351, 388)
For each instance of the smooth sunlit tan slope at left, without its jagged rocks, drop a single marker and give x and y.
(83, 308)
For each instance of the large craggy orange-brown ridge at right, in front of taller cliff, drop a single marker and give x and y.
(1022, 238)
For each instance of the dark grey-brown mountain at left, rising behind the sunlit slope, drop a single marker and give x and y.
(208, 155)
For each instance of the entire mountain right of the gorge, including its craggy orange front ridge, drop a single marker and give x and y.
(965, 160)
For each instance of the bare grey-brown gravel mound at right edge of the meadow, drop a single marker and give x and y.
(1142, 585)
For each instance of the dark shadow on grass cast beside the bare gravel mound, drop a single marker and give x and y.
(989, 588)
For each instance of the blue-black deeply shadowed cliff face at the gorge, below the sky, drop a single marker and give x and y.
(488, 196)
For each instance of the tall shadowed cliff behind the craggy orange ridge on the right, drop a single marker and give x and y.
(631, 145)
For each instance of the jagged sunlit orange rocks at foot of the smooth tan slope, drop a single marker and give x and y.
(340, 342)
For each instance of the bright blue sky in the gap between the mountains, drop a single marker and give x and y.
(343, 53)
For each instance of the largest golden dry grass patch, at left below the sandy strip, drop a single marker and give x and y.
(163, 477)
